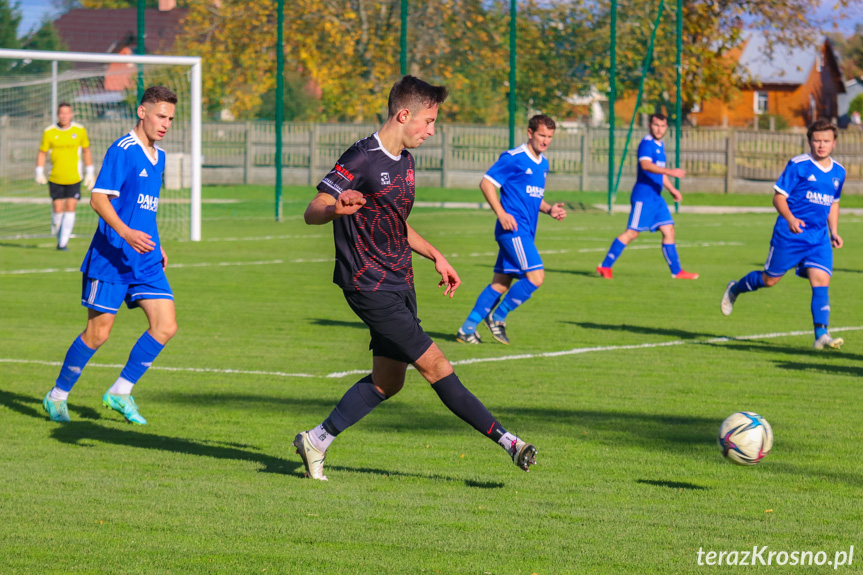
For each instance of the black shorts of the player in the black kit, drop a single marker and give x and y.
(393, 323)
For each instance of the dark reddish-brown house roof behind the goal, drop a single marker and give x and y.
(108, 30)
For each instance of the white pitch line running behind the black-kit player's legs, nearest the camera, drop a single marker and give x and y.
(340, 374)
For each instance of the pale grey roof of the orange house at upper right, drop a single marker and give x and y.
(784, 65)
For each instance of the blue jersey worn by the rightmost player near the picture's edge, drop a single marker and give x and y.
(811, 191)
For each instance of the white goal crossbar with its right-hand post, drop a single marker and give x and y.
(193, 62)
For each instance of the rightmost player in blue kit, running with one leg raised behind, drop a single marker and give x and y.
(806, 230)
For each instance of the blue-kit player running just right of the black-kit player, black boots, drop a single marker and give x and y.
(520, 174)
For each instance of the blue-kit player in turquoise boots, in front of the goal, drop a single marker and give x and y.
(125, 261)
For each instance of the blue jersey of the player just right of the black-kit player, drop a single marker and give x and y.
(521, 179)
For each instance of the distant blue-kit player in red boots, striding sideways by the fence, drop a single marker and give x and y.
(649, 211)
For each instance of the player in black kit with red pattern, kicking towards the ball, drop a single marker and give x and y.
(368, 196)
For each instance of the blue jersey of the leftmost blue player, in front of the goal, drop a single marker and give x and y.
(134, 179)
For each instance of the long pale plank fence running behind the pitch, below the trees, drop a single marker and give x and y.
(716, 160)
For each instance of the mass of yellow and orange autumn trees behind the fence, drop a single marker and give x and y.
(341, 56)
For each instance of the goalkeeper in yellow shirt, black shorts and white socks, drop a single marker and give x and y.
(67, 142)
